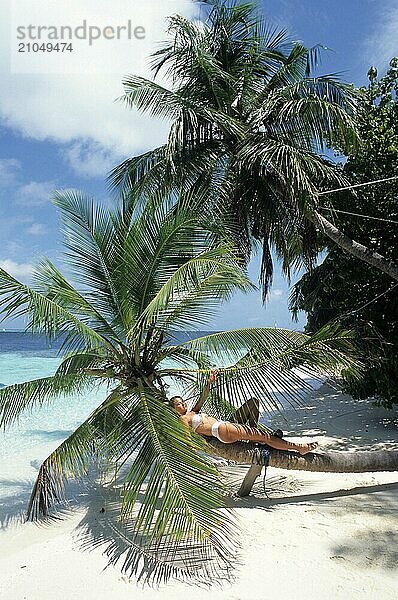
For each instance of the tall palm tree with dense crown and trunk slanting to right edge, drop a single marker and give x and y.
(249, 130)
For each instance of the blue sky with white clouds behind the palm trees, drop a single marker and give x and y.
(65, 130)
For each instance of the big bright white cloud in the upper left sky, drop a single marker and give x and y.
(79, 110)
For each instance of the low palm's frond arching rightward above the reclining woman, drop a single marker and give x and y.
(272, 364)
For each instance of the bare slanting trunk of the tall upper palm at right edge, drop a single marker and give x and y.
(355, 248)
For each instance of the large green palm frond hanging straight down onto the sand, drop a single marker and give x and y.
(173, 496)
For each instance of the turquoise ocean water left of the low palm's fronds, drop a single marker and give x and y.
(27, 443)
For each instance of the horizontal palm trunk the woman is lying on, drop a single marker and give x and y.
(324, 462)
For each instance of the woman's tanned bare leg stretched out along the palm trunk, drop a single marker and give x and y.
(233, 433)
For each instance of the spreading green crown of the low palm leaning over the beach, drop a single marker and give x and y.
(138, 285)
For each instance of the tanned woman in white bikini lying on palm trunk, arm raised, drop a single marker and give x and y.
(228, 432)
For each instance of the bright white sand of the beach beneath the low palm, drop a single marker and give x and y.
(317, 536)
